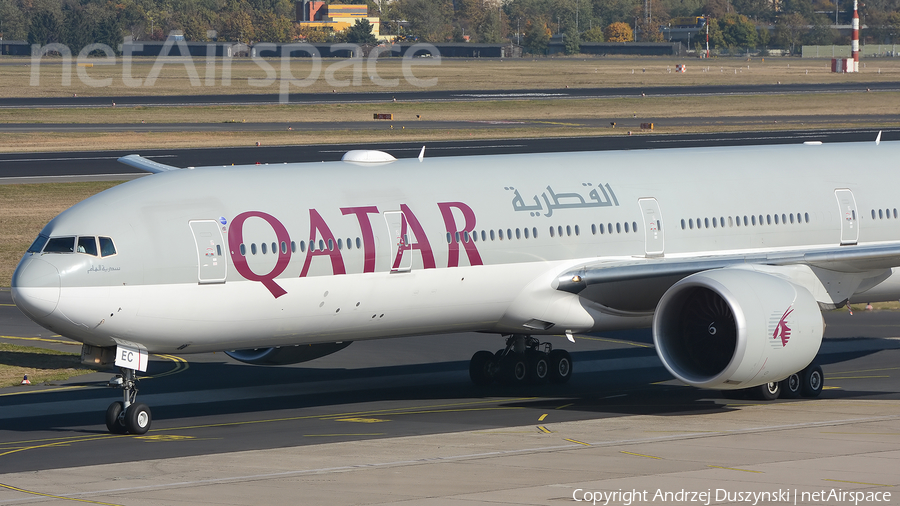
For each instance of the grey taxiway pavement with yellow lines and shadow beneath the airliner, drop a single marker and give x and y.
(397, 422)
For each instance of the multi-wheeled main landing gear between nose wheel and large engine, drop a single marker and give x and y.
(524, 360)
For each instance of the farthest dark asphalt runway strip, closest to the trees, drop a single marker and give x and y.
(446, 95)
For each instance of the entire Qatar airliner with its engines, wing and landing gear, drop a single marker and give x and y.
(730, 254)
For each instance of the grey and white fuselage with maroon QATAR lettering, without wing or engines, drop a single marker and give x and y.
(438, 246)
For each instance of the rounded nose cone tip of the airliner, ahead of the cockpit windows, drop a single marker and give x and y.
(35, 287)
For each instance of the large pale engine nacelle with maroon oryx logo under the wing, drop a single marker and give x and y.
(736, 328)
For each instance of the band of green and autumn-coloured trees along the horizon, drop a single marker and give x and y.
(733, 24)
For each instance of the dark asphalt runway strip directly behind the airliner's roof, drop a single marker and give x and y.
(102, 165)
